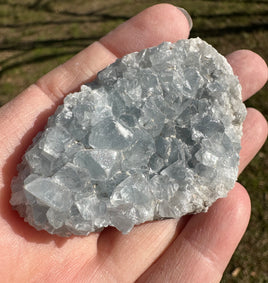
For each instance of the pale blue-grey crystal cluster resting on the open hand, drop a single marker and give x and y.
(156, 135)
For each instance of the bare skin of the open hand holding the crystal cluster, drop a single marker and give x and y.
(193, 249)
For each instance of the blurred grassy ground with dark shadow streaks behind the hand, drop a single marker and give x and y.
(38, 35)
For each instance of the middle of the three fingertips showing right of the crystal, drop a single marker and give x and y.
(255, 132)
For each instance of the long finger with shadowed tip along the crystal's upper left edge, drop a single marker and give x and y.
(150, 27)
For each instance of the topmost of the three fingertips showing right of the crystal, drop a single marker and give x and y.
(251, 70)
